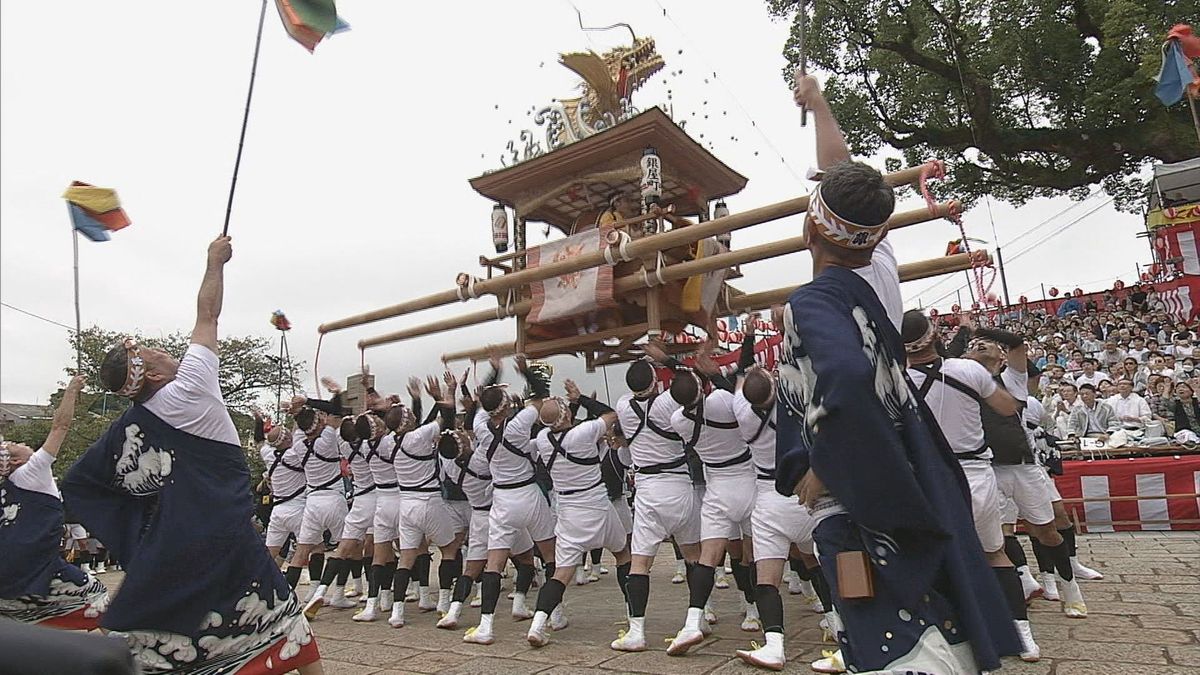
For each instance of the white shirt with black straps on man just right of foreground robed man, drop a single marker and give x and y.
(958, 414)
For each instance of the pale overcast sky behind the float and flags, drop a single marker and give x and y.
(353, 190)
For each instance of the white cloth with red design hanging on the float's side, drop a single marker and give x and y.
(572, 295)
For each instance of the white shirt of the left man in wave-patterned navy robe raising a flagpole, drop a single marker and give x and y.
(193, 402)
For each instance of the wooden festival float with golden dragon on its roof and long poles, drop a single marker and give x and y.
(641, 255)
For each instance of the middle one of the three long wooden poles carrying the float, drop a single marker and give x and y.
(635, 282)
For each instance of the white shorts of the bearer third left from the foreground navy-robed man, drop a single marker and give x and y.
(664, 506)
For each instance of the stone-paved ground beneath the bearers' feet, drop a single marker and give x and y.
(1144, 619)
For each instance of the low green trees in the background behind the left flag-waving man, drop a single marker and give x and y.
(250, 375)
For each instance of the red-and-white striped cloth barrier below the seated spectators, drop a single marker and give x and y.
(1133, 494)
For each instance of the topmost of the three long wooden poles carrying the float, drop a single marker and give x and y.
(637, 249)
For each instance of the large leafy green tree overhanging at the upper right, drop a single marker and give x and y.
(1021, 98)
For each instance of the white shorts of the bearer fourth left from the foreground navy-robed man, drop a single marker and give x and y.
(586, 522)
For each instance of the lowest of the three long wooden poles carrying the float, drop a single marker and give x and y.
(749, 302)
